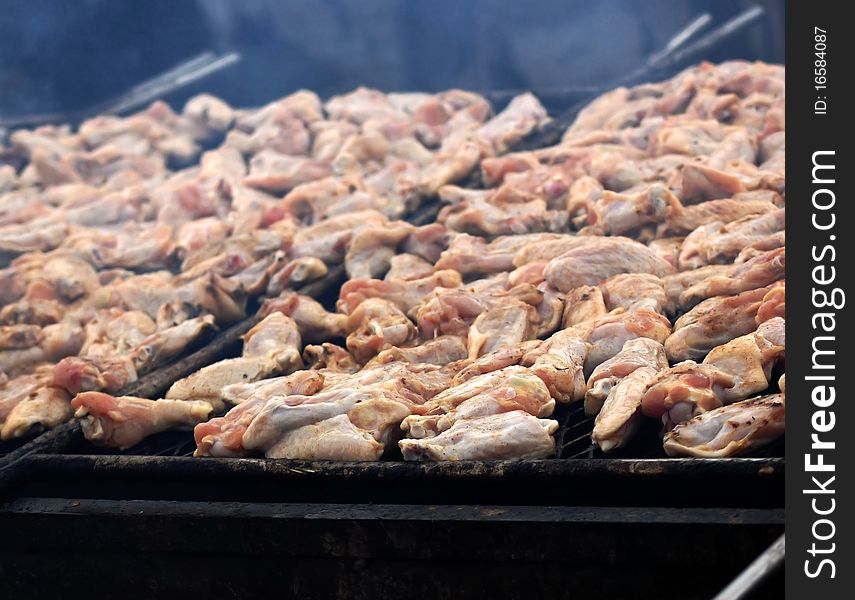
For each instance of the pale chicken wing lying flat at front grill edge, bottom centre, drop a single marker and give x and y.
(514, 434)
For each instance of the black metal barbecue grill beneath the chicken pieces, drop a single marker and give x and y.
(152, 520)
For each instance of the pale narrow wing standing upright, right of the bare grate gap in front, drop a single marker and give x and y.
(618, 419)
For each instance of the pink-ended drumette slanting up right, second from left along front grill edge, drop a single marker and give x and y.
(223, 436)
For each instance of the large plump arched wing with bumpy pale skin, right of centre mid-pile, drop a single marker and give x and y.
(591, 263)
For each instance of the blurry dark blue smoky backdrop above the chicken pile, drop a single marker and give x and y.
(61, 55)
